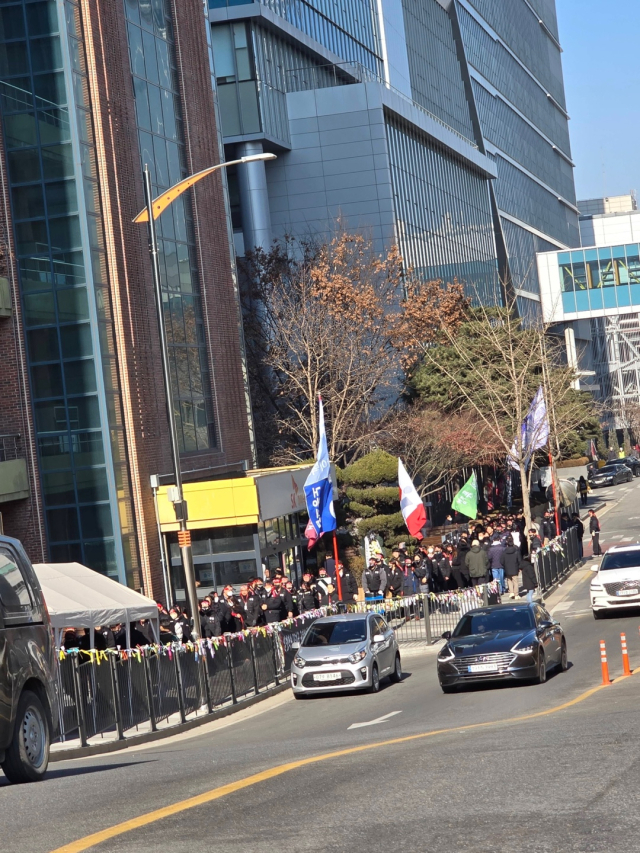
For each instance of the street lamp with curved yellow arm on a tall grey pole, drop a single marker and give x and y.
(152, 210)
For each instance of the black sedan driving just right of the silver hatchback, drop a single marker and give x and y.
(506, 642)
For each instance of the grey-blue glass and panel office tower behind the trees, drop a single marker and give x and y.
(437, 124)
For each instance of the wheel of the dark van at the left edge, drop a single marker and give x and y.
(27, 756)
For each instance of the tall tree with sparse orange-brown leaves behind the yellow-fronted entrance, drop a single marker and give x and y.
(336, 320)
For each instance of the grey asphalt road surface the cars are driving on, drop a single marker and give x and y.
(562, 781)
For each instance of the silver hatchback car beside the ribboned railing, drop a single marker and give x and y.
(350, 651)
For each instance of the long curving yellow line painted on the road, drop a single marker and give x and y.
(95, 838)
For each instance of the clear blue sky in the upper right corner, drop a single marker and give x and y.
(602, 82)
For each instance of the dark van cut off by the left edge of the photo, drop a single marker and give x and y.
(28, 697)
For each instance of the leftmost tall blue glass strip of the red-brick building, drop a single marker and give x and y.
(63, 281)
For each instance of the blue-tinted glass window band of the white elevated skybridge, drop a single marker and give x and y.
(593, 279)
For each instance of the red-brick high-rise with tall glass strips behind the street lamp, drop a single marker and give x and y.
(89, 93)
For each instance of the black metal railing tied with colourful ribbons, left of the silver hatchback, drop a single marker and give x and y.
(164, 686)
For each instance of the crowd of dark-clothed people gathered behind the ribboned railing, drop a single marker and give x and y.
(498, 548)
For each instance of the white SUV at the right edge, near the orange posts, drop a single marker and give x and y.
(617, 584)
